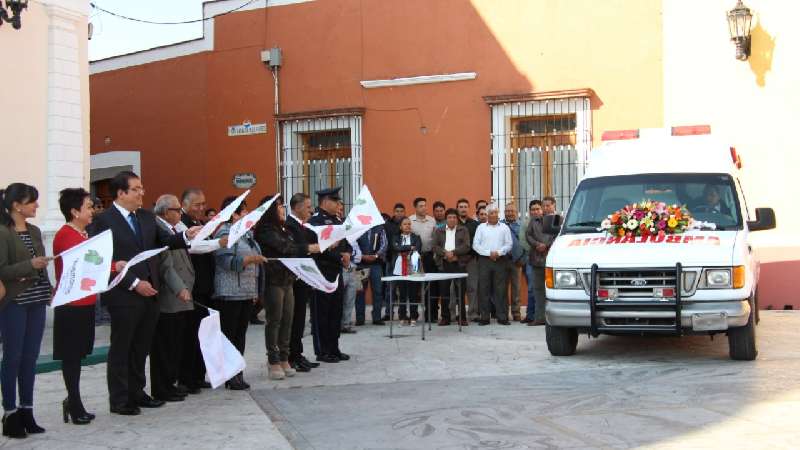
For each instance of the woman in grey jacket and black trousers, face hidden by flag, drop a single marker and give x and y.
(236, 286)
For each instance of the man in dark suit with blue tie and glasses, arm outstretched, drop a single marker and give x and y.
(132, 304)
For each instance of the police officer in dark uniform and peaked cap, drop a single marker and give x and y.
(326, 323)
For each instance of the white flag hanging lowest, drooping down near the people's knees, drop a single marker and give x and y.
(222, 359)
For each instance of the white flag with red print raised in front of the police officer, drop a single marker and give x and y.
(363, 215)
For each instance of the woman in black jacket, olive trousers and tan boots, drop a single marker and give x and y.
(277, 242)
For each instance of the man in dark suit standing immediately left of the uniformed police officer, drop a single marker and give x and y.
(300, 211)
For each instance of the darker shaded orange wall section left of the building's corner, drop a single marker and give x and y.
(160, 110)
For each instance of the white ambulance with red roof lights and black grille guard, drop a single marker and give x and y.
(701, 281)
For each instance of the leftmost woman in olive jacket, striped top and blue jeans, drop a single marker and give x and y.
(22, 264)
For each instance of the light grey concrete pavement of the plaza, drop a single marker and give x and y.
(488, 387)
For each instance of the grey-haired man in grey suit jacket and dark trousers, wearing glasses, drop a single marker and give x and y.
(175, 305)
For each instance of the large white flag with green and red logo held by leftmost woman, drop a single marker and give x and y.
(87, 267)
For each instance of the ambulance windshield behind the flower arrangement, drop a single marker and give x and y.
(708, 197)
